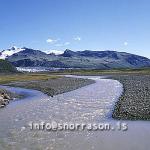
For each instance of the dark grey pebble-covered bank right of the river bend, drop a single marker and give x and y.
(134, 104)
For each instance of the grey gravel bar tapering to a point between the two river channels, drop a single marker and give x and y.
(53, 87)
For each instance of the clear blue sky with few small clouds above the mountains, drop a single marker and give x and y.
(121, 25)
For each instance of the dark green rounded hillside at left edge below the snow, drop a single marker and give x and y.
(6, 67)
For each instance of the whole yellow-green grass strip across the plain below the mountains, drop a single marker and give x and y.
(7, 78)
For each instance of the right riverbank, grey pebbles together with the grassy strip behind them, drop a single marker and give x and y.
(134, 103)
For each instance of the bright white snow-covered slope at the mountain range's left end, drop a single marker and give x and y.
(9, 52)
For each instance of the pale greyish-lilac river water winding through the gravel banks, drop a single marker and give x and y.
(92, 104)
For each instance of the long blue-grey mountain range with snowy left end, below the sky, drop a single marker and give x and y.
(27, 57)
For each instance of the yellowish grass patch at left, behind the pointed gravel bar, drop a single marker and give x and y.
(4, 79)
